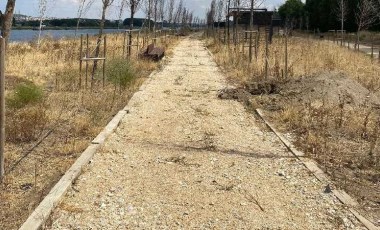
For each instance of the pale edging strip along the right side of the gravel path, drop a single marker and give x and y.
(319, 174)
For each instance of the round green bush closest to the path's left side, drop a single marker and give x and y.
(120, 72)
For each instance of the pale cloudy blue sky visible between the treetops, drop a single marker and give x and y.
(68, 8)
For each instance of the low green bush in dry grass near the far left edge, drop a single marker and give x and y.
(25, 94)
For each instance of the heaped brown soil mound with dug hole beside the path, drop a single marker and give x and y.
(329, 88)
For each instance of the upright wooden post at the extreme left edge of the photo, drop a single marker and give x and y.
(2, 106)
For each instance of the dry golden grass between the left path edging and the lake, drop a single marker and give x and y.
(73, 115)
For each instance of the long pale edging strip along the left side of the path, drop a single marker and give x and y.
(41, 214)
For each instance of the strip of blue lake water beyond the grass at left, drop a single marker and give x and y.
(30, 35)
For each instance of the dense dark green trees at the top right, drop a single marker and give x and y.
(321, 14)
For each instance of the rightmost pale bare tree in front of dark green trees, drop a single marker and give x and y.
(365, 16)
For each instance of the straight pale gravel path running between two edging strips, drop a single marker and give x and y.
(184, 159)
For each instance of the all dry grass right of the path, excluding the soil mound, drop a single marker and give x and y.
(342, 137)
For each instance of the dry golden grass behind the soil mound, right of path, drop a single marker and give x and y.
(305, 58)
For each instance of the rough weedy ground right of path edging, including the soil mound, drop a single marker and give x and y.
(334, 120)
